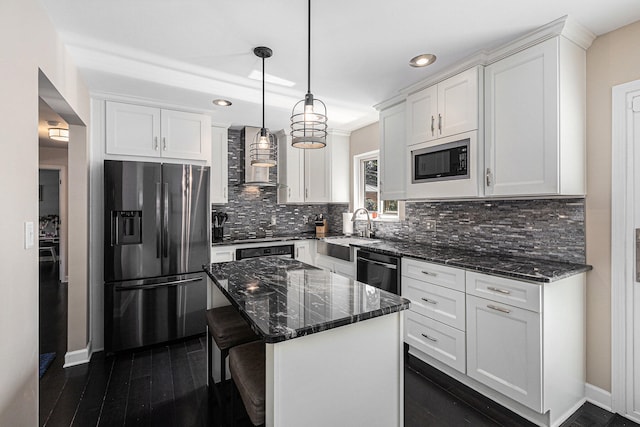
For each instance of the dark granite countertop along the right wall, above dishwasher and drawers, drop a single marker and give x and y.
(530, 269)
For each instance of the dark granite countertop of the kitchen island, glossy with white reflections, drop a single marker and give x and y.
(284, 299)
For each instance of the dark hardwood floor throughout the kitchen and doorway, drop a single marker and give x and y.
(165, 386)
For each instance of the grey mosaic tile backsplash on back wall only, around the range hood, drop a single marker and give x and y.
(251, 209)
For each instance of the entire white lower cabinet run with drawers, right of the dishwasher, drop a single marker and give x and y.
(519, 343)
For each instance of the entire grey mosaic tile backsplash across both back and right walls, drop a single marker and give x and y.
(545, 229)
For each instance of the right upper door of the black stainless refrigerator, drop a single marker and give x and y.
(185, 221)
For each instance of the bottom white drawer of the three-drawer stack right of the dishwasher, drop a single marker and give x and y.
(436, 339)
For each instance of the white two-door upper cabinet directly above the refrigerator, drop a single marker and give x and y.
(135, 130)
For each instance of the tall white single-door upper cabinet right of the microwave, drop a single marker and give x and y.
(535, 120)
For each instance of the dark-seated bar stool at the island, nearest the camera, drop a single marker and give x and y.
(247, 367)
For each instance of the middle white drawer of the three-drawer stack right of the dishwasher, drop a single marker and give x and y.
(440, 303)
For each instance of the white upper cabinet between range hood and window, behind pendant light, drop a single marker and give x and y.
(314, 175)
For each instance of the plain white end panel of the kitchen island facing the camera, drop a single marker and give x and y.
(351, 375)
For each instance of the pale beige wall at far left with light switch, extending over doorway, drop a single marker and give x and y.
(29, 43)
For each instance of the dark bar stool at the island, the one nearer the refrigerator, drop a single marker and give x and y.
(227, 328)
